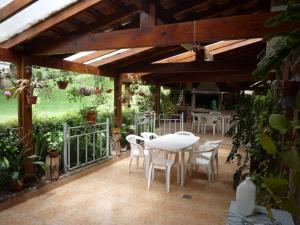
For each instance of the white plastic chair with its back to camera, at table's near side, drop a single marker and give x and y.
(160, 160)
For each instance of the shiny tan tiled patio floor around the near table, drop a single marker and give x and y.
(111, 196)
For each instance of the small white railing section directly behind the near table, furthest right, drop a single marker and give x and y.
(170, 124)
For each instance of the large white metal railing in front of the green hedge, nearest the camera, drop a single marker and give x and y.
(85, 144)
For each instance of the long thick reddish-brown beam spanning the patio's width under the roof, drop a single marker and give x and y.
(225, 28)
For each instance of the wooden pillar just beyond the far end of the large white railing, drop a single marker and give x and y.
(117, 102)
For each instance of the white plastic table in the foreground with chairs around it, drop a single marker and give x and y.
(174, 143)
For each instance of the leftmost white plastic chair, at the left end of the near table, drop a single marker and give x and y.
(136, 149)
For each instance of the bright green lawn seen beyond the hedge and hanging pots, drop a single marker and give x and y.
(57, 105)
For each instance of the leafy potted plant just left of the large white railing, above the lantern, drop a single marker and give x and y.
(55, 141)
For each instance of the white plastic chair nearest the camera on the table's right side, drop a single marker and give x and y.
(198, 159)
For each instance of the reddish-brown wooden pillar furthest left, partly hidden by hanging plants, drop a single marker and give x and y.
(25, 117)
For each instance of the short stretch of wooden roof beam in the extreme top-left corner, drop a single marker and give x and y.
(13, 8)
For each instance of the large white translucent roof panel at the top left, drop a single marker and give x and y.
(30, 16)
